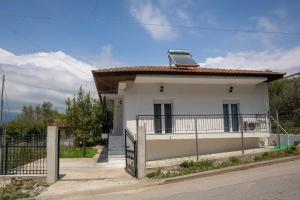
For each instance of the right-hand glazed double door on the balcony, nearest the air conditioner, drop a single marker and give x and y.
(231, 117)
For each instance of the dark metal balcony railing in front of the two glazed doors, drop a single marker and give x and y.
(190, 124)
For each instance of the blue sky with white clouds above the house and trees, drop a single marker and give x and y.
(48, 48)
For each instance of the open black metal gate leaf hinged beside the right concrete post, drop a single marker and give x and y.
(130, 153)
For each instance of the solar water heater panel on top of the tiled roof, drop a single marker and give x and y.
(181, 58)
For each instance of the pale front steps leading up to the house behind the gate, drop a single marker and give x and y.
(116, 151)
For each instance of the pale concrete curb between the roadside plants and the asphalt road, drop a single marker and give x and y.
(229, 169)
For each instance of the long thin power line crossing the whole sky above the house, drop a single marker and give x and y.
(220, 29)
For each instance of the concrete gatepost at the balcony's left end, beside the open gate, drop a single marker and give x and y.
(141, 149)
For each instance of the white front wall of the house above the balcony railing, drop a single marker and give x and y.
(191, 99)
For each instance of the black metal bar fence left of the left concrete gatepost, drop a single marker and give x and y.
(23, 154)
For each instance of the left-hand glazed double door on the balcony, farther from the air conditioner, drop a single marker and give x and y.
(163, 118)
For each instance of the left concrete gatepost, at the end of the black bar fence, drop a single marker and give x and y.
(52, 154)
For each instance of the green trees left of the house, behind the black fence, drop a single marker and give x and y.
(85, 119)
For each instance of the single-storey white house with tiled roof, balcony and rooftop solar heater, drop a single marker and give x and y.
(183, 101)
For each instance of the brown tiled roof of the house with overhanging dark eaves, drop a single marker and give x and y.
(107, 79)
